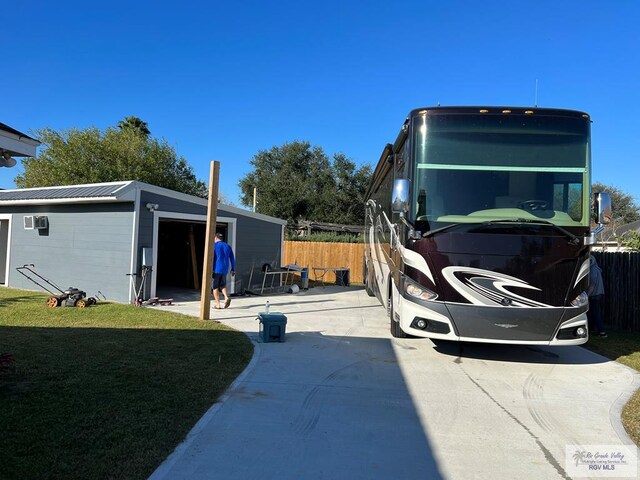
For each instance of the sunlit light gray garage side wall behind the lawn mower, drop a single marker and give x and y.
(85, 246)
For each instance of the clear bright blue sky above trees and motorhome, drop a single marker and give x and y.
(223, 80)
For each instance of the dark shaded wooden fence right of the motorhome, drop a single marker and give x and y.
(621, 276)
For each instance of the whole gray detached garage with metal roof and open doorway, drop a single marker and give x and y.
(93, 236)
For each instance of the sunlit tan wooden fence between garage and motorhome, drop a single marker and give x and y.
(326, 254)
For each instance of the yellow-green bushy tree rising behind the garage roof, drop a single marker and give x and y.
(89, 155)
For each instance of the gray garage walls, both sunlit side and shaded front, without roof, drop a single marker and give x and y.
(88, 245)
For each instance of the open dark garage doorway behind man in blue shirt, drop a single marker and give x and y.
(178, 251)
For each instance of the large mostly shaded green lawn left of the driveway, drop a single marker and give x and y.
(107, 391)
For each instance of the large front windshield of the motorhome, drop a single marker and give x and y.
(481, 167)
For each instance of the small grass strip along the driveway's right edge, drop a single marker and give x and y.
(624, 348)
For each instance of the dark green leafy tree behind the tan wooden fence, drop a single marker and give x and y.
(297, 181)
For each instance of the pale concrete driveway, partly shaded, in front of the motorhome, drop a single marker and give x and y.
(342, 399)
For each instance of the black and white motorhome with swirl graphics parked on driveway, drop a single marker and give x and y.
(479, 223)
